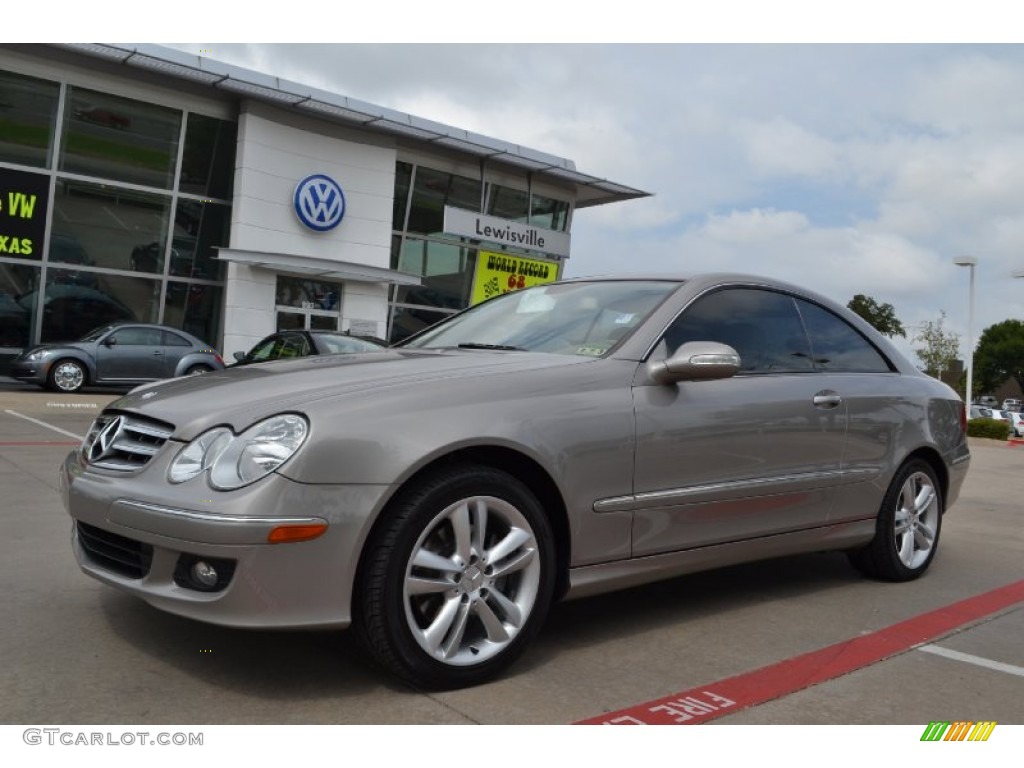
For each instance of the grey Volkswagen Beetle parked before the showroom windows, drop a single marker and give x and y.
(116, 355)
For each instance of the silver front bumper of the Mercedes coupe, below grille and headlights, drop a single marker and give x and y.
(127, 518)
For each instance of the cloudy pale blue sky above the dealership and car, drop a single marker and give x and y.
(847, 168)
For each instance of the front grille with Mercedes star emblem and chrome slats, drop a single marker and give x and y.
(123, 442)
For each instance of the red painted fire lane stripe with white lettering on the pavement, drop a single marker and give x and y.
(735, 694)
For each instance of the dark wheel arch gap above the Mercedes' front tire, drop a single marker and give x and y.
(521, 466)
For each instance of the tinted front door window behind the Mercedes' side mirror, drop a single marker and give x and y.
(762, 326)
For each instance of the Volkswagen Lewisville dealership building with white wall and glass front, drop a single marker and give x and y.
(144, 184)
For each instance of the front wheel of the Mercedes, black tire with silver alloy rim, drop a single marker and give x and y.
(457, 581)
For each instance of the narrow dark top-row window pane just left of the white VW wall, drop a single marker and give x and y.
(208, 160)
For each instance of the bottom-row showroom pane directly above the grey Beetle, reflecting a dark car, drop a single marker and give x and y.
(72, 310)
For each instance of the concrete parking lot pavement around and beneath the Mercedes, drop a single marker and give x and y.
(802, 641)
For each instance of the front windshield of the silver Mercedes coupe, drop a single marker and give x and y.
(585, 319)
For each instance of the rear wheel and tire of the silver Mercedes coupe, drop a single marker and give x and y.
(908, 531)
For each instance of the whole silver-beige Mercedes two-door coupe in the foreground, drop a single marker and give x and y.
(556, 443)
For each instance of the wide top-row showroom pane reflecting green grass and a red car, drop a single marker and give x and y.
(120, 139)
